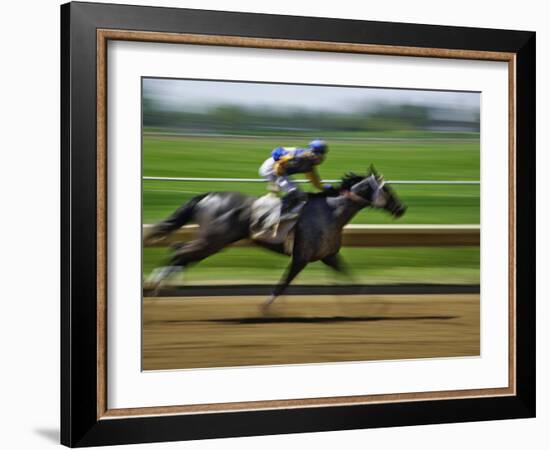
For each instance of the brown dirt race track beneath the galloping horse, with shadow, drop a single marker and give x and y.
(192, 332)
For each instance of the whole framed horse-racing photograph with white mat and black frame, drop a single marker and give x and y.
(276, 224)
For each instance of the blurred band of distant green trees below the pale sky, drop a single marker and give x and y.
(238, 119)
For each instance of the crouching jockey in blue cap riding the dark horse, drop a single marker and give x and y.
(285, 161)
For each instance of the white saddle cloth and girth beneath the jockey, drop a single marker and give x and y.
(266, 225)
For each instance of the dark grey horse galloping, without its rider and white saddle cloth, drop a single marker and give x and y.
(224, 218)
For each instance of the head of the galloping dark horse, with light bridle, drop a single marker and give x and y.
(374, 192)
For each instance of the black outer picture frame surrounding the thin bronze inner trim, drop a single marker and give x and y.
(80, 425)
